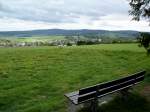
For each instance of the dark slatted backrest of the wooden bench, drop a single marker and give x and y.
(102, 89)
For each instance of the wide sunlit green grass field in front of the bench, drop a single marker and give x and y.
(35, 79)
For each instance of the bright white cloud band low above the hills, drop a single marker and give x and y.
(9, 24)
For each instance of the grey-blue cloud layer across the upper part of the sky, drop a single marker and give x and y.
(62, 11)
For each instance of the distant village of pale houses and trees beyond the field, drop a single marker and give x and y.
(62, 42)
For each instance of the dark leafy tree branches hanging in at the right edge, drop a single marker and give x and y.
(141, 9)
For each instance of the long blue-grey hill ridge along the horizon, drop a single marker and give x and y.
(104, 33)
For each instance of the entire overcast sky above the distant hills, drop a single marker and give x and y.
(67, 14)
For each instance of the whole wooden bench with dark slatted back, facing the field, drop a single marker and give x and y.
(92, 93)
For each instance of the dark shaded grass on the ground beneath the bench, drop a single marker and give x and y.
(132, 103)
